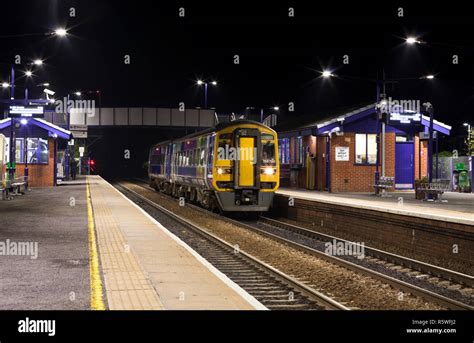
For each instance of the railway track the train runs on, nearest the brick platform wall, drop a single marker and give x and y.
(303, 239)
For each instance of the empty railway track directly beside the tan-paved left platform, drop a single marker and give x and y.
(274, 289)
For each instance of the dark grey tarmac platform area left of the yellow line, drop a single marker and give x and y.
(55, 219)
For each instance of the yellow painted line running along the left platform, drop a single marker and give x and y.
(97, 301)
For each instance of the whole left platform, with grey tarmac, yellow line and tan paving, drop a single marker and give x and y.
(83, 245)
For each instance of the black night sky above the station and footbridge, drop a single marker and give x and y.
(279, 56)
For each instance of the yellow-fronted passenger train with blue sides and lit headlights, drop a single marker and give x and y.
(232, 167)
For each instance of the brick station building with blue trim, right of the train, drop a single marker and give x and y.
(341, 153)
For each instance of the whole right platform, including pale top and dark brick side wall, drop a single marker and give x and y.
(440, 233)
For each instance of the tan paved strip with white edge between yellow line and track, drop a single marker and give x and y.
(145, 266)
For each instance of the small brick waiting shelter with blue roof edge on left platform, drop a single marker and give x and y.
(37, 146)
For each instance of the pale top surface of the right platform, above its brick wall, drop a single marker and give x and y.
(458, 209)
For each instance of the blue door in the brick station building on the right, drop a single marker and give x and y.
(404, 164)
